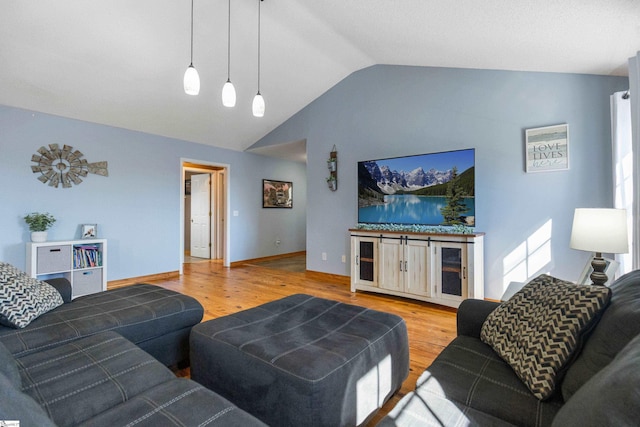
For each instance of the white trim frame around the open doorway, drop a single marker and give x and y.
(192, 165)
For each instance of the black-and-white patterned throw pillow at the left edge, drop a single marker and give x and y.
(23, 298)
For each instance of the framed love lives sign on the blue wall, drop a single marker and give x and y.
(547, 148)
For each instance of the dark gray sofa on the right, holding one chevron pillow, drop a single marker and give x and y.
(469, 384)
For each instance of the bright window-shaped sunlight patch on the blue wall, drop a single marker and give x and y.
(529, 258)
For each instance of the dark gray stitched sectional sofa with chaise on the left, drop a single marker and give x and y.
(100, 360)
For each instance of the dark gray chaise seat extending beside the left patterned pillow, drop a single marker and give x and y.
(139, 312)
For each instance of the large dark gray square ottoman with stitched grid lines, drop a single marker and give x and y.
(303, 360)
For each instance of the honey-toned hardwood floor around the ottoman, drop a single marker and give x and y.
(223, 291)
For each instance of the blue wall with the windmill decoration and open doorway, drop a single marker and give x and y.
(137, 208)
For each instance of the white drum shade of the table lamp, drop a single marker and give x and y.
(600, 230)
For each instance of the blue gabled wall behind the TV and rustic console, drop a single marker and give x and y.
(389, 111)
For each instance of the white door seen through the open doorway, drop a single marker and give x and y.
(201, 215)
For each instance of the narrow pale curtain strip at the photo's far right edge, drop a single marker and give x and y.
(634, 90)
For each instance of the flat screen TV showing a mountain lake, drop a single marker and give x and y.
(429, 189)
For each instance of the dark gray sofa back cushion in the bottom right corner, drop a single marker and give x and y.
(610, 397)
